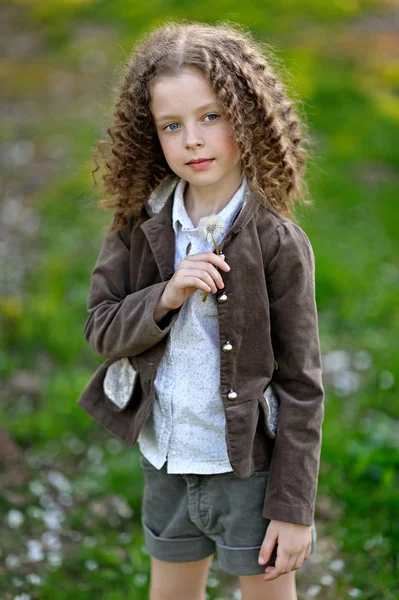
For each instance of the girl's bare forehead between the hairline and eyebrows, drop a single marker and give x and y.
(187, 90)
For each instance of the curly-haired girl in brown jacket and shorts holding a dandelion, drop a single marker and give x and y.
(213, 360)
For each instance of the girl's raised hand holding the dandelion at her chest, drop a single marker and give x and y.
(195, 272)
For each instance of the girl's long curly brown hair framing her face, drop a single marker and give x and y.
(243, 75)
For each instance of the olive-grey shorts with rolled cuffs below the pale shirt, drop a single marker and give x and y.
(189, 517)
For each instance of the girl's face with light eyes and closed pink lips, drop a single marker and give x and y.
(190, 125)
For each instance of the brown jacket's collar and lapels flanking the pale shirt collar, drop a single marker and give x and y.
(158, 227)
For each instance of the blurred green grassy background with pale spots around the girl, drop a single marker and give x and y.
(70, 492)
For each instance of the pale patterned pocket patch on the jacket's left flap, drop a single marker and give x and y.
(119, 384)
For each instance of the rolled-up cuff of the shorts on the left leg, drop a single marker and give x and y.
(177, 549)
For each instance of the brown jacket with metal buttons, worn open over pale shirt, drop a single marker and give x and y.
(267, 311)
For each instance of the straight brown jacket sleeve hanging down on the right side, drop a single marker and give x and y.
(297, 382)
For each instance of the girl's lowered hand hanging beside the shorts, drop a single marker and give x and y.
(294, 546)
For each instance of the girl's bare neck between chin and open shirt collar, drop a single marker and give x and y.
(202, 201)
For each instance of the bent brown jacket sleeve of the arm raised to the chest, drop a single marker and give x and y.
(122, 323)
